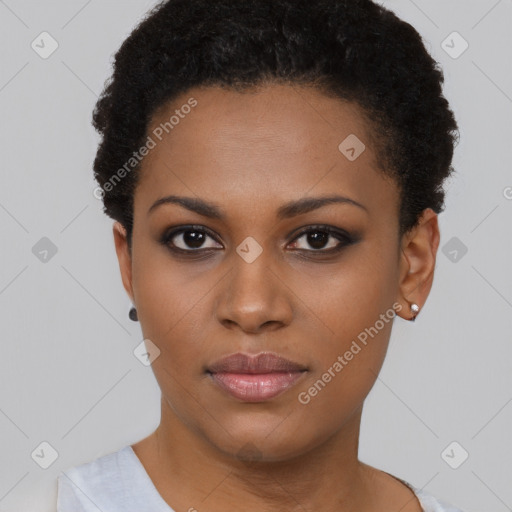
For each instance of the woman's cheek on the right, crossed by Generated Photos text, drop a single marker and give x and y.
(355, 308)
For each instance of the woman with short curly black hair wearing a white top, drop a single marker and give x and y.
(274, 170)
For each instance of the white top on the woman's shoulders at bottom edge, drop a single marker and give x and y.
(118, 482)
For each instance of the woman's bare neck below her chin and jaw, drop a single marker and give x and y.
(189, 470)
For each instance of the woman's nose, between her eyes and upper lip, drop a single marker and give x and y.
(253, 297)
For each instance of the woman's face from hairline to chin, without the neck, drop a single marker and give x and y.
(255, 269)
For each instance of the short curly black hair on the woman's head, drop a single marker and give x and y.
(355, 50)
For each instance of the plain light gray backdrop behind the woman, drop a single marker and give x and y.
(68, 373)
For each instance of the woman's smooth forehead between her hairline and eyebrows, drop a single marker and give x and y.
(275, 143)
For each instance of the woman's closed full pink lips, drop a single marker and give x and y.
(255, 378)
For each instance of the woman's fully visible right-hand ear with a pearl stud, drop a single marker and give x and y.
(417, 263)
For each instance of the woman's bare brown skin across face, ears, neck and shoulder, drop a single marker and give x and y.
(250, 153)
